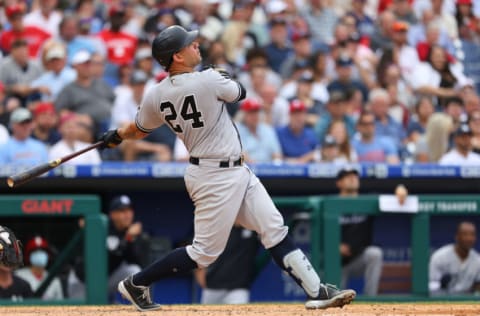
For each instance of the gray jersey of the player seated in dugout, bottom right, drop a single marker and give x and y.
(445, 261)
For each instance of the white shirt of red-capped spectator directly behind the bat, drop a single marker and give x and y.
(61, 149)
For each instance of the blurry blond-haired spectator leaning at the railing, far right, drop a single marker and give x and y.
(431, 146)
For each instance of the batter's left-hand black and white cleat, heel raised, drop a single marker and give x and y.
(139, 296)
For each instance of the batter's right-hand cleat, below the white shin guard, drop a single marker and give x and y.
(330, 296)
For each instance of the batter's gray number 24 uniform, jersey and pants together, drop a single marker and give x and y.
(192, 104)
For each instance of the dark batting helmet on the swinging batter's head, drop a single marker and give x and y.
(169, 41)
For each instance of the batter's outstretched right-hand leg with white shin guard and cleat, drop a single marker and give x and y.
(259, 213)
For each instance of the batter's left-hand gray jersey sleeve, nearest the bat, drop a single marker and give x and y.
(147, 118)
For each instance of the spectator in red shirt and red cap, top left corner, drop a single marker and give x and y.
(34, 36)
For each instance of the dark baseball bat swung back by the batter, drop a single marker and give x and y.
(30, 174)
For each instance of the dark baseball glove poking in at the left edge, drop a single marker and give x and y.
(10, 249)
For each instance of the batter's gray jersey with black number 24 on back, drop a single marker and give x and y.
(193, 105)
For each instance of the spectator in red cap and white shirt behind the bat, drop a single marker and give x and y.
(70, 143)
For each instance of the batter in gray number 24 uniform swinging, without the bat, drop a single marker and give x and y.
(223, 189)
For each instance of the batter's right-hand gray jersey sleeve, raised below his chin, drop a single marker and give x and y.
(226, 89)
